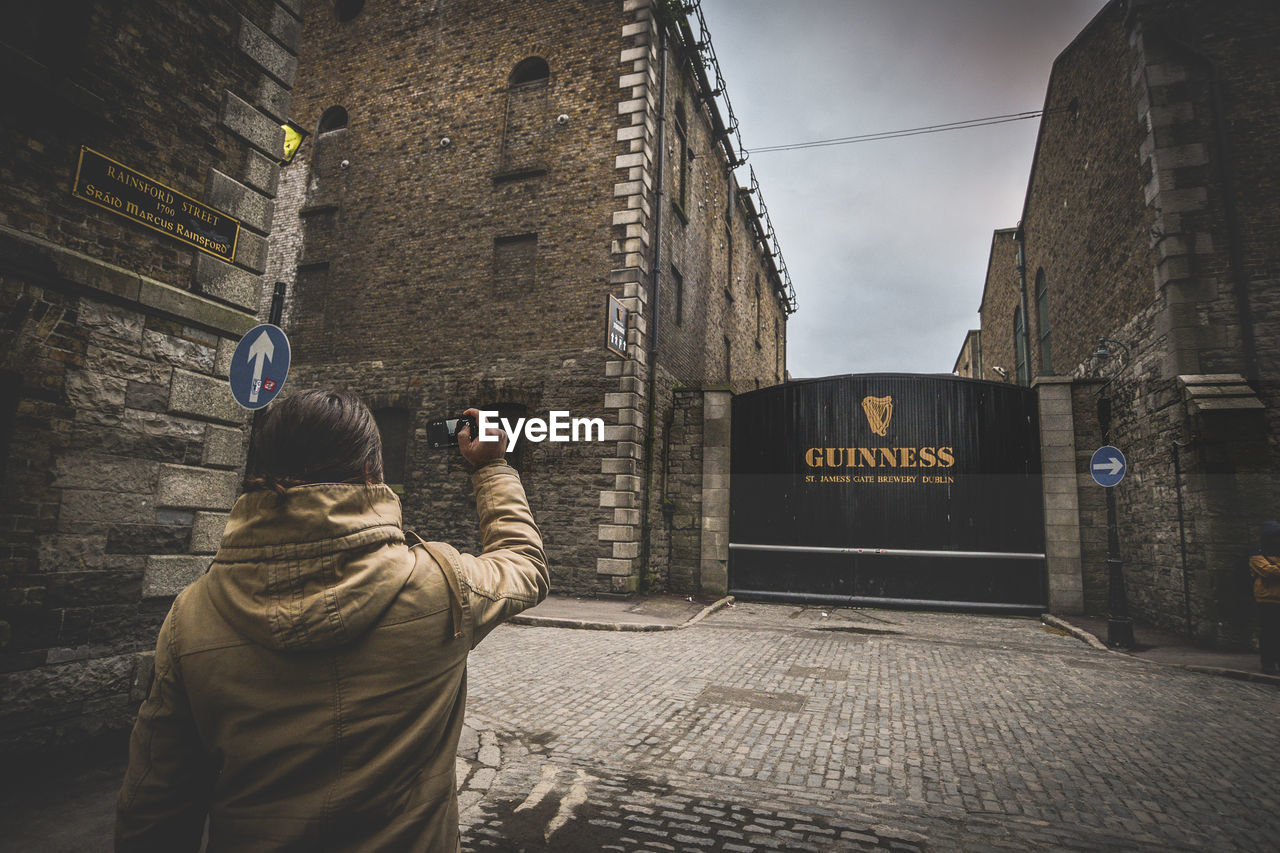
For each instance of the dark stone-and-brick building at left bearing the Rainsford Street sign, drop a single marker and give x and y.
(121, 448)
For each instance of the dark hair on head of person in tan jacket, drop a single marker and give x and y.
(316, 437)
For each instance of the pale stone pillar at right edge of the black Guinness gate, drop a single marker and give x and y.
(1062, 501)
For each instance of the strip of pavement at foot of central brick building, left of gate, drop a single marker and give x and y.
(637, 614)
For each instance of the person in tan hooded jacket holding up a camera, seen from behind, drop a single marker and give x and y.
(310, 690)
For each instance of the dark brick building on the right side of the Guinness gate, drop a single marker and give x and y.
(1151, 220)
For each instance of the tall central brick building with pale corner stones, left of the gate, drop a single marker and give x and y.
(481, 180)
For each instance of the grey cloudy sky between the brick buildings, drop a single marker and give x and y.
(888, 241)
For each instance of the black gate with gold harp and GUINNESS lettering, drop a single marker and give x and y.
(889, 490)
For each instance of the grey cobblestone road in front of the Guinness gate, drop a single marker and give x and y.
(774, 727)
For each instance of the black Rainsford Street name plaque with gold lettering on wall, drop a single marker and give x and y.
(116, 188)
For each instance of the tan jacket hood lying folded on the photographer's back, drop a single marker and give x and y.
(310, 569)
